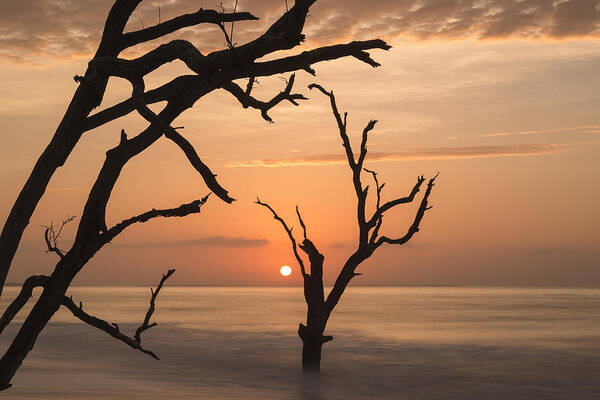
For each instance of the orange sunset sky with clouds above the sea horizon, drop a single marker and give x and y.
(501, 97)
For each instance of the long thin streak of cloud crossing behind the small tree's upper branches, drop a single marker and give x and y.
(435, 153)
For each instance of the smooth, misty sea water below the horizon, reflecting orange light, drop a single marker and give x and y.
(390, 343)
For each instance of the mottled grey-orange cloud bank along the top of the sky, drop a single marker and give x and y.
(66, 29)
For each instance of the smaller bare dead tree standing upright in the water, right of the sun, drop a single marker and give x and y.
(319, 308)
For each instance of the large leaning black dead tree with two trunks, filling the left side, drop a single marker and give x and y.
(216, 70)
